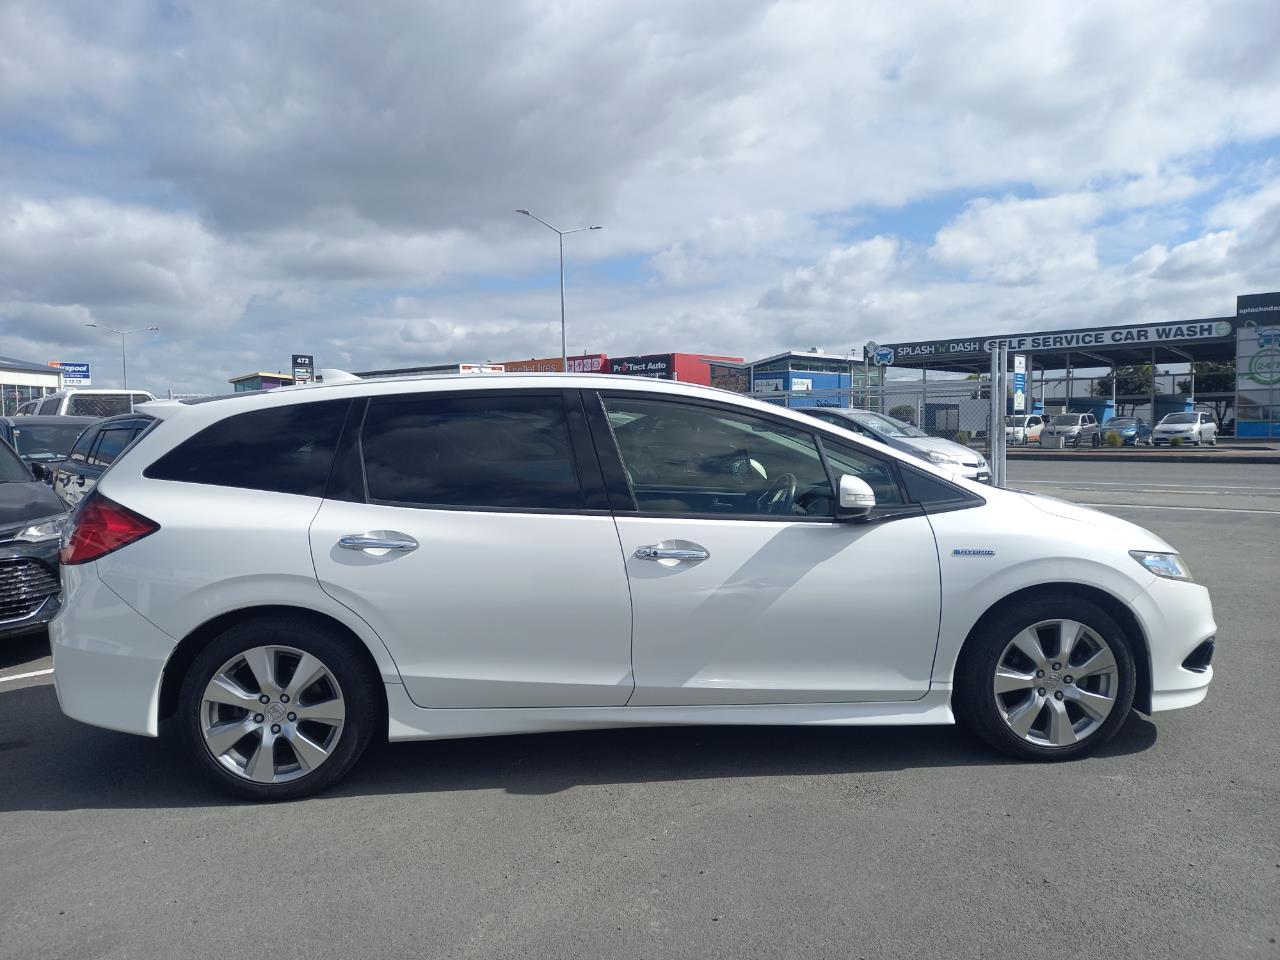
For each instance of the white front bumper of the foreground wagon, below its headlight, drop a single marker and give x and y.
(1178, 619)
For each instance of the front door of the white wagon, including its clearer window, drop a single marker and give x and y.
(744, 587)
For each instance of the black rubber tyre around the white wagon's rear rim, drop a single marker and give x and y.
(360, 689)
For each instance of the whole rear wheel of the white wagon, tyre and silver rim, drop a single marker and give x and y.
(278, 708)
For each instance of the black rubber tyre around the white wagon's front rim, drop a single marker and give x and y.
(975, 698)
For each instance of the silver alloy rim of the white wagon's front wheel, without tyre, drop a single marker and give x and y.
(1057, 683)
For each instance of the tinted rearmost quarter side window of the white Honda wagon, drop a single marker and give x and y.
(282, 450)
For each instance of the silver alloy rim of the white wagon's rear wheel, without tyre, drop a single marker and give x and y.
(272, 715)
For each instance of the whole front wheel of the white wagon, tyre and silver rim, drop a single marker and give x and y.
(1046, 680)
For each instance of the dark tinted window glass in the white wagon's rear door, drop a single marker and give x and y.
(509, 451)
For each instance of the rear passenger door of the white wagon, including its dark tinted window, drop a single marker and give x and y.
(477, 541)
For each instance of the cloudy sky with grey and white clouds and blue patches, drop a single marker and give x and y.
(259, 179)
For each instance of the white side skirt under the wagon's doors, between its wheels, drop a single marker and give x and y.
(406, 721)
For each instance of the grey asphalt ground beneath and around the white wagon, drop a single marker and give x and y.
(735, 843)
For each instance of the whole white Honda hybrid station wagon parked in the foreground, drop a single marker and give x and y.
(287, 575)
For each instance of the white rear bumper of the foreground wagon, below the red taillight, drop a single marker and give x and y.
(108, 659)
